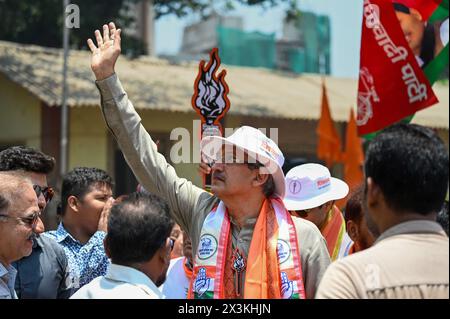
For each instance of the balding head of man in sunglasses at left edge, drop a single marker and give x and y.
(19, 213)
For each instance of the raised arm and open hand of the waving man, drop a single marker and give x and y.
(150, 168)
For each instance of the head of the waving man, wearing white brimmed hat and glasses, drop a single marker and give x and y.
(247, 164)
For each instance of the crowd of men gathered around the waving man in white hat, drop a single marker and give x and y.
(258, 234)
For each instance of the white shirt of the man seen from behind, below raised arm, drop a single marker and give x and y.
(120, 282)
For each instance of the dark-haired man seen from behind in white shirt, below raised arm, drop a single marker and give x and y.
(139, 258)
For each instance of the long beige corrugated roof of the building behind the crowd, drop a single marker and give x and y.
(155, 84)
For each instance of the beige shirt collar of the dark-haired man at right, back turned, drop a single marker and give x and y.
(413, 227)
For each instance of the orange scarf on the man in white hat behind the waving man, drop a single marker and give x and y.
(333, 231)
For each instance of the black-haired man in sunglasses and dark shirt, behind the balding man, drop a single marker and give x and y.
(44, 274)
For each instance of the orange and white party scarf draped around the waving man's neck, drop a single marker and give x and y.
(271, 272)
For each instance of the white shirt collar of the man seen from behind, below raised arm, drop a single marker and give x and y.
(132, 276)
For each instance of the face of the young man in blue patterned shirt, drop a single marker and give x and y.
(92, 204)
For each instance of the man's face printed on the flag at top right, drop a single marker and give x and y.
(413, 27)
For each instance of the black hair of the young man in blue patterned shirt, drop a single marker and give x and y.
(78, 183)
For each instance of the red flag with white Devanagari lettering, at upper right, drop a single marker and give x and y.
(391, 83)
